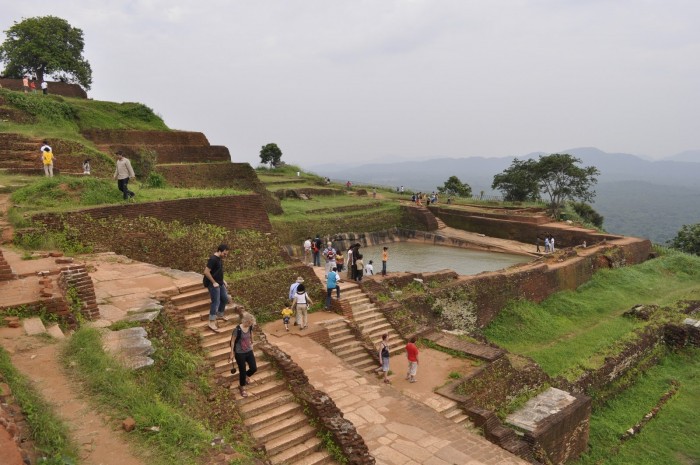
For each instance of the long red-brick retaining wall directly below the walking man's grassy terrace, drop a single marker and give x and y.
(231, 212)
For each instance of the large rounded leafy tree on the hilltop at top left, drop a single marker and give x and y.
(46, 46)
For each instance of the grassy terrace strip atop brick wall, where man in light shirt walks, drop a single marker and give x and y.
(63, 193)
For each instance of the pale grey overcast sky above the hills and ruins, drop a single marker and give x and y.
(360, 80)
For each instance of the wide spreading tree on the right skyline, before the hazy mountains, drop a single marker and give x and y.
(557, 176)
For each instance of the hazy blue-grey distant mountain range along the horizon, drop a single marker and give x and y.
(637, 196)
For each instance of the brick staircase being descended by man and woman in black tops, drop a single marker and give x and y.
(270, 411)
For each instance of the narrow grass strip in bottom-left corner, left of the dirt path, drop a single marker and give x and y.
(47, 430)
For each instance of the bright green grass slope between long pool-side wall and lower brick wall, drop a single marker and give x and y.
(571, 331)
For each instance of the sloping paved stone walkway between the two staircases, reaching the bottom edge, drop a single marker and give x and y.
(398, 429)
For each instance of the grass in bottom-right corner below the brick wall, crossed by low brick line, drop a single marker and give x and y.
(670, 438)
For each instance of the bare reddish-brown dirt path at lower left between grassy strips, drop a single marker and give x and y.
(37, 359)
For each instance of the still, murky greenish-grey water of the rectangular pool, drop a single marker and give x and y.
(416, 257)
